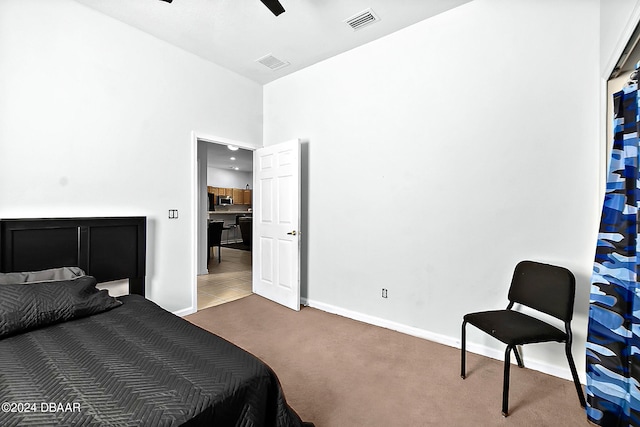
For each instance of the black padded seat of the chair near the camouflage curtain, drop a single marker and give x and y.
(514, 328)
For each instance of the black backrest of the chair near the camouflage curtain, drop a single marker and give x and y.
(546, 288)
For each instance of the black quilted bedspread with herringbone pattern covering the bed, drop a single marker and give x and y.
(135, 365)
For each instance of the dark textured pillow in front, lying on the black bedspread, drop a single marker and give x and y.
(28, 307)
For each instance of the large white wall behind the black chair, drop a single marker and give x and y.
(471, 118)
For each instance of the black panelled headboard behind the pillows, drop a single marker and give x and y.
(110, 248)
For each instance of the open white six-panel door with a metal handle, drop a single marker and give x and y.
(276, 221)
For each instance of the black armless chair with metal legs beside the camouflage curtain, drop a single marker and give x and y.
(545, 288)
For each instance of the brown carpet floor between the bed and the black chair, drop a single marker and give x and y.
(340, 372)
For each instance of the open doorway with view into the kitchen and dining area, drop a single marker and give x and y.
(225, 182)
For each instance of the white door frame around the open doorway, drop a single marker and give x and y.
(193, 226)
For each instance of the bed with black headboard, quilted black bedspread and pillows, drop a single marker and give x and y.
(72, 355)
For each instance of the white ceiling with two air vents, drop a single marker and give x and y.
(236, 33)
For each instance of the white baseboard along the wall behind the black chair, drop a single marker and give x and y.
(482, 350)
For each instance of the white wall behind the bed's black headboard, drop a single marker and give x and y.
(96, 119)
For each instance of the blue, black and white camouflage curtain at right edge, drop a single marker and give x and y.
(613, 342)
